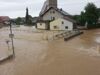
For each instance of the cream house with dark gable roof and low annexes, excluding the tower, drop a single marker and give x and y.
(59, 20)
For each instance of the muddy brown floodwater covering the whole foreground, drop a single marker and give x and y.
(78, 56)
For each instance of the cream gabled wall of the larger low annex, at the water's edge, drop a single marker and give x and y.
(60, 26)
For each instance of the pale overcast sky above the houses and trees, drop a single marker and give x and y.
(16, 8)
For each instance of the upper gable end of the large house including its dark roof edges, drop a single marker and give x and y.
(53, 13)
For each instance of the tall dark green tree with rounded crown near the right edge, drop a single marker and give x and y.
(91, 14)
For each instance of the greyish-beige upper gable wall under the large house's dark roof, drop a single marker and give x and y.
(50, 14)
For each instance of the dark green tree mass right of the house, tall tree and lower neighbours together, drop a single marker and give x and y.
(88, 17)
